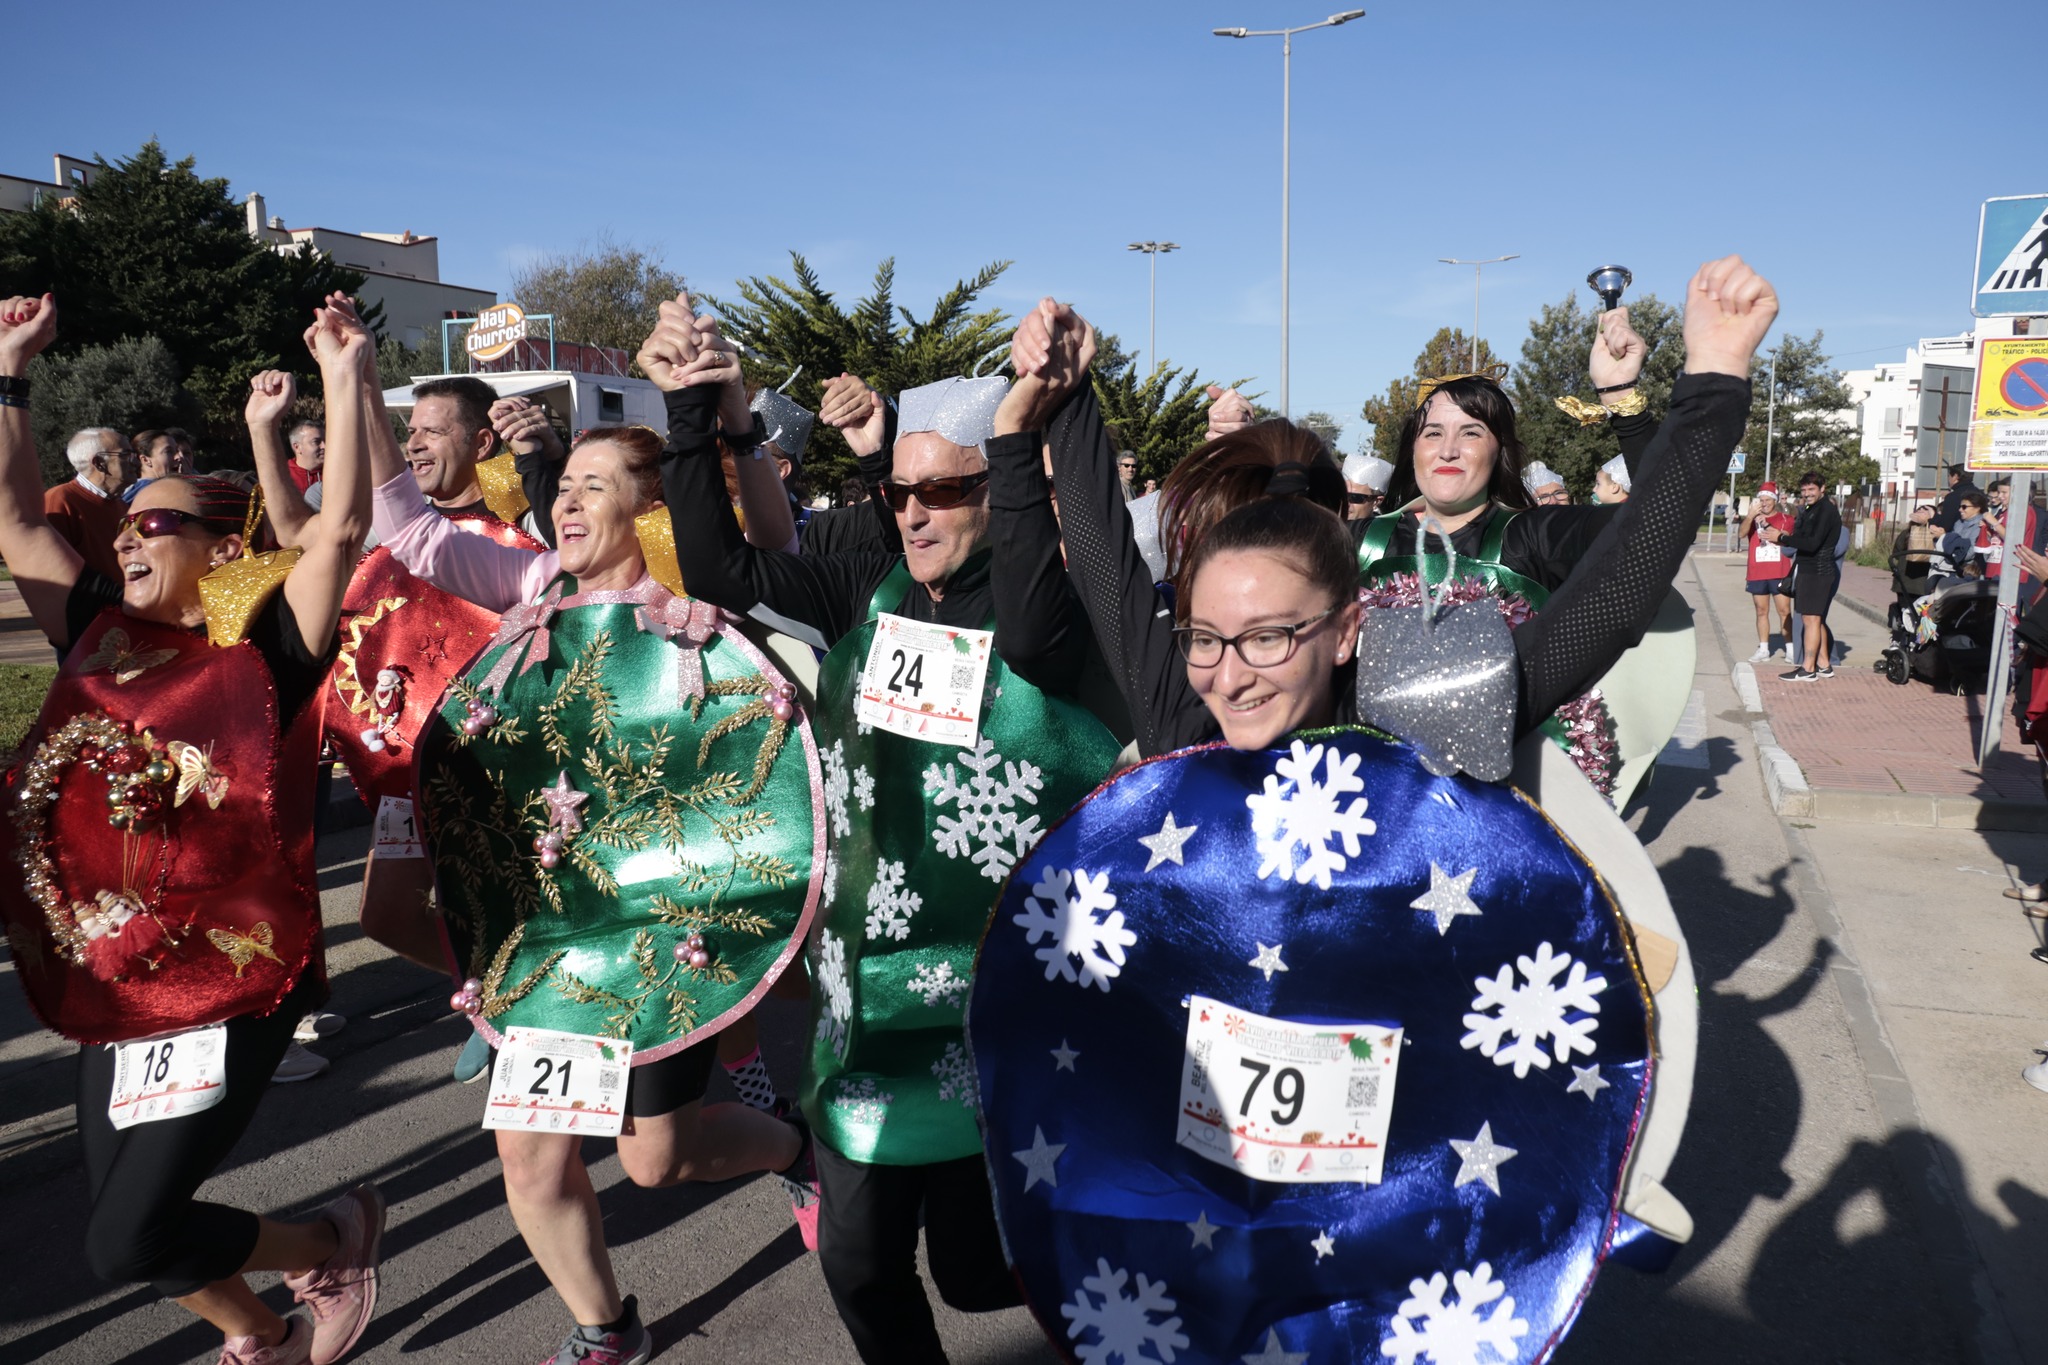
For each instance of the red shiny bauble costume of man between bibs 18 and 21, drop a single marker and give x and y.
(392, 619)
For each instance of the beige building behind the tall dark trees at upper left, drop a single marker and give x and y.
(402, 271)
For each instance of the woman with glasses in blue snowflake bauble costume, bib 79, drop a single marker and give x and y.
(1312, 1045)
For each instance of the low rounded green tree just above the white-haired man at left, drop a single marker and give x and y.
(128, 386)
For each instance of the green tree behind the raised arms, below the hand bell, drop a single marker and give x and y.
(1553, 365)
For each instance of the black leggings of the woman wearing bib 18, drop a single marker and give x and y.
(144, 1225)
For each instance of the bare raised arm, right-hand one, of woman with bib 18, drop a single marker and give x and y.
(333, 541)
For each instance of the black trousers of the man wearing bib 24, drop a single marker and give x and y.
(867, 1247)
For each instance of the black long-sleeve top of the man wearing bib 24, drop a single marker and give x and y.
(1041, 627)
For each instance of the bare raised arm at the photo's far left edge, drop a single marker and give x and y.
(42, 562)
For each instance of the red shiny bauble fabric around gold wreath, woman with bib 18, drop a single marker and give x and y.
(243, 871)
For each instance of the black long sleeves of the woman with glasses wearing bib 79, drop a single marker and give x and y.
(1627, 562)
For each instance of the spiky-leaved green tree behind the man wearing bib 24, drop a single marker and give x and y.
(800, 324)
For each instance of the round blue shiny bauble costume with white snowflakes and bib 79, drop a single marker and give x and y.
(1220, 944)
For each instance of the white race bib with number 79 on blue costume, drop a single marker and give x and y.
(1287, 1102)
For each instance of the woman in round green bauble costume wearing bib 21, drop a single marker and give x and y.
(622, 805)
